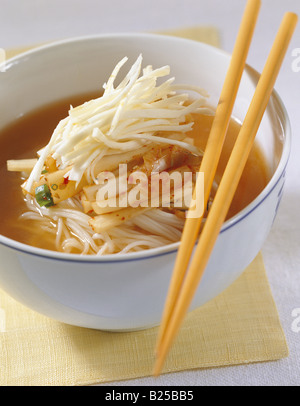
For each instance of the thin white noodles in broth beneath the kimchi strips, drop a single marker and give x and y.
(73, 234)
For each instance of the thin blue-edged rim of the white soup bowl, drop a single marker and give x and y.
(170, 248)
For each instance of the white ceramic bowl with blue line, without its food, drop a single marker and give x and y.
(127, 292)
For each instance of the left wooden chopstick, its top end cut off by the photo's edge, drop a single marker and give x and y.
(212, 154)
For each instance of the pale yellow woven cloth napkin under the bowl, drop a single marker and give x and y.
(240, 326)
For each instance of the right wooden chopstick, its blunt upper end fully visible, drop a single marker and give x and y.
(228, 184)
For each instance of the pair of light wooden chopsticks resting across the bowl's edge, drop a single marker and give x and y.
(184, 282)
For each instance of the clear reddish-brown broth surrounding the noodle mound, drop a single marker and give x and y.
(29, 133)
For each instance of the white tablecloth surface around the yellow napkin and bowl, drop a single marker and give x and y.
(26, 22)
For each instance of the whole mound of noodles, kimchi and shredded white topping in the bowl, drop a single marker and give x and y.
(138, 124)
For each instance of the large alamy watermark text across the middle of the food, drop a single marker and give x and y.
(181, 188)
